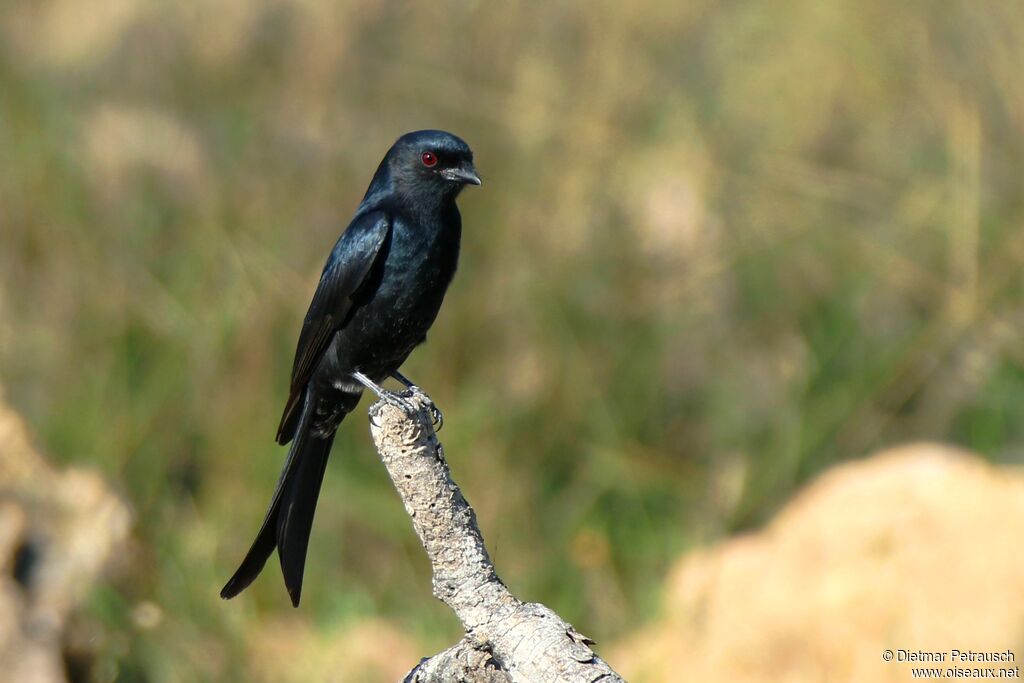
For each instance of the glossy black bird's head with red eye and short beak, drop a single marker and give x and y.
(433, 161)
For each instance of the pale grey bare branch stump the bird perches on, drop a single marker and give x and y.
(507, 641)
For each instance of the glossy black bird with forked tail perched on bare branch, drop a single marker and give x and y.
(379, 293)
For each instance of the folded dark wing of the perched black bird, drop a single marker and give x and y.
(343, 284)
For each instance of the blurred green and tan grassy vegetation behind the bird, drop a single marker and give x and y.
(719, 247)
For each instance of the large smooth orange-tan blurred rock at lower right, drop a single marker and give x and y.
(917, 548)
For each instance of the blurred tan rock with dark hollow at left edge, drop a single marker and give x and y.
(58, 530)
